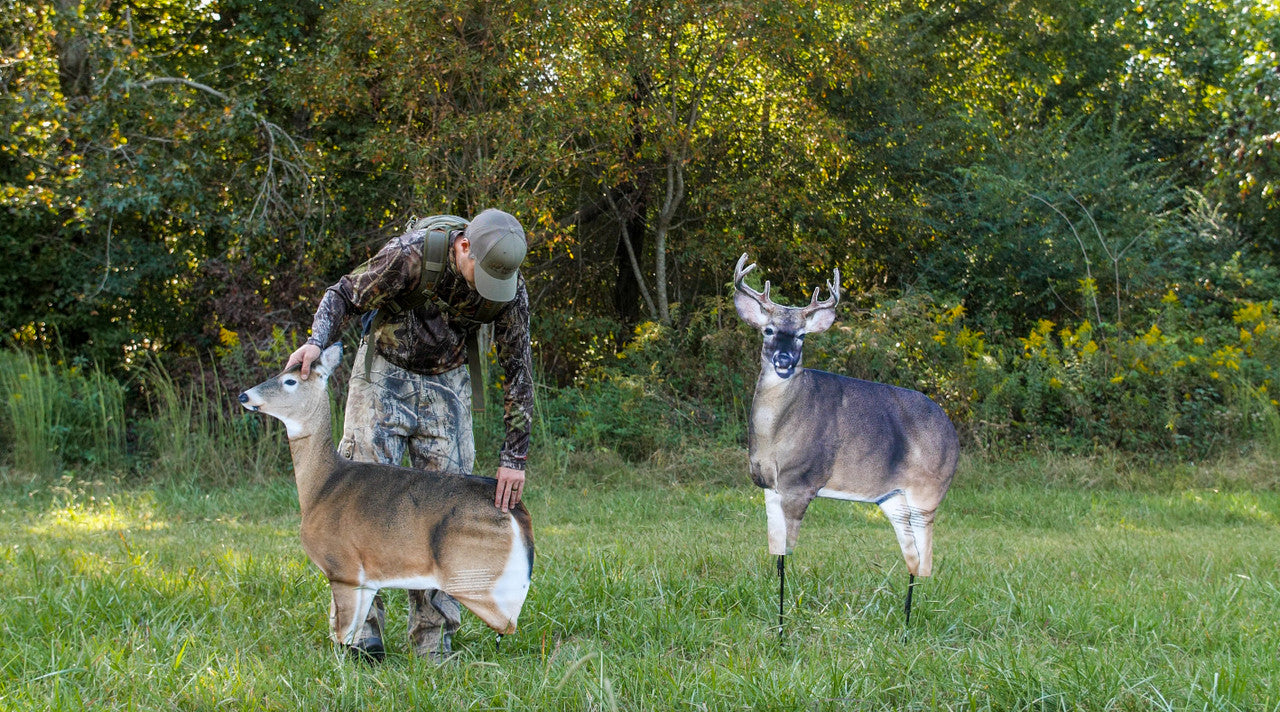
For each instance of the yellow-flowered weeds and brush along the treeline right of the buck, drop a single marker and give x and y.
(1167, 389)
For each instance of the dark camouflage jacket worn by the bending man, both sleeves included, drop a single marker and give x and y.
(429, 341)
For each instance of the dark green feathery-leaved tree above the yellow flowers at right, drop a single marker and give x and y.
(1066, 222)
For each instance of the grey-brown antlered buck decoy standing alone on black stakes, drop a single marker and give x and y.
(821, 435)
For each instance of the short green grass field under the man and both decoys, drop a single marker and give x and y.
(653, 591)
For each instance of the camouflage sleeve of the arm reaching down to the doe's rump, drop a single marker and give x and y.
(511, 337)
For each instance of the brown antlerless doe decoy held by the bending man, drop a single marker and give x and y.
(371, 527)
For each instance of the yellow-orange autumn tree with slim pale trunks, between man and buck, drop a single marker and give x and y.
(706, 107)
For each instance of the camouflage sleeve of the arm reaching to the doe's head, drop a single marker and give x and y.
(395, 270)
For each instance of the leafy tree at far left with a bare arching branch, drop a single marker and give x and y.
(131, 167)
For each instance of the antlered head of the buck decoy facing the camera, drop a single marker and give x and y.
(784, 327)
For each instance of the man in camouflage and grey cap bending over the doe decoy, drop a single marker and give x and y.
(414, 392)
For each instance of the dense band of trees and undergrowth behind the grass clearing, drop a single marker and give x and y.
(1058, 220)
